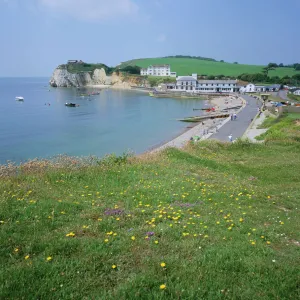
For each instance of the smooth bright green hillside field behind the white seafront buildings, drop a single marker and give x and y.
(185, 66)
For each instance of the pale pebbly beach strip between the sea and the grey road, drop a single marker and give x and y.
(205, 129)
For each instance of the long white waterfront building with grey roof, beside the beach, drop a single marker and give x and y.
(191, 84)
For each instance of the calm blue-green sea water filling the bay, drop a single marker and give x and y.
(114, 121)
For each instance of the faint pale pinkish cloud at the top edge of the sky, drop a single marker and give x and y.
(91, 10)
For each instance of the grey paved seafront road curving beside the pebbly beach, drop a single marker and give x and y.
(239, 126)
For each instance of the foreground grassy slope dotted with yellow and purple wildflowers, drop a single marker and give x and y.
(213, 221)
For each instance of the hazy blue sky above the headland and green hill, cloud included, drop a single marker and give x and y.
(38, 35)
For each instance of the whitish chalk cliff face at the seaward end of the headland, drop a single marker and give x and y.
(62, 78)
